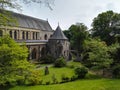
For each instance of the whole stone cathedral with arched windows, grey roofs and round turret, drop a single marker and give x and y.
(38, 36)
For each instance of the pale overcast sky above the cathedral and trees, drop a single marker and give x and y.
(68, 12)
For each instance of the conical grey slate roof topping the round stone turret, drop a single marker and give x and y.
(58, 34)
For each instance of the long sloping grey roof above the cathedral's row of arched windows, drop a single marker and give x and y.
(25, 21)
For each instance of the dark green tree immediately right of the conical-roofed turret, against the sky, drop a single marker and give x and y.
(78, 33)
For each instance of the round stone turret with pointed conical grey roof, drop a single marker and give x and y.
(58, 44)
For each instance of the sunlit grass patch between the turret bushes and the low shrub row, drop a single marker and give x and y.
(57, 72)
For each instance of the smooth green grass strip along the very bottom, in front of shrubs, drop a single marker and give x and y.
(96, 84)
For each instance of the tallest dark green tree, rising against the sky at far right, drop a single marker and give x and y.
(104, 24)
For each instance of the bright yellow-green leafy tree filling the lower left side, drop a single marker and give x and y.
(13, 61)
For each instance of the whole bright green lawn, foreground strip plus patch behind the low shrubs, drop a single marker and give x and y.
(84, 84)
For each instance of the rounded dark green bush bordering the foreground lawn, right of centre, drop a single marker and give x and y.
(81, 72)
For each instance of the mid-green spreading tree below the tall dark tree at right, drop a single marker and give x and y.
(96, 54)
